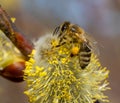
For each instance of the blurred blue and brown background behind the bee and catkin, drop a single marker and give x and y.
(100, 18)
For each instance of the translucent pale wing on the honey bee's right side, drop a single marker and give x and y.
(92, 44)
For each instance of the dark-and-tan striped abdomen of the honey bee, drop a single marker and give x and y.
(84, 55)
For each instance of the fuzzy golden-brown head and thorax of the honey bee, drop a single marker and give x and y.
(69, 32)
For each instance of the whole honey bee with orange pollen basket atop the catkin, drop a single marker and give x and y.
(72, 33)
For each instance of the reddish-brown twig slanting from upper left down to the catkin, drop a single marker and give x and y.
(11, 31)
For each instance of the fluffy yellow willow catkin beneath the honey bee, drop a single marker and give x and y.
(58, 78)
